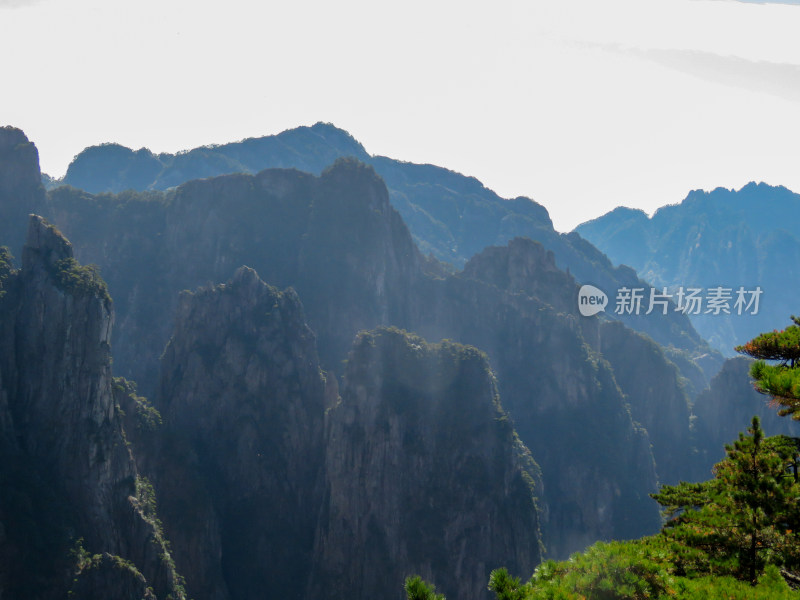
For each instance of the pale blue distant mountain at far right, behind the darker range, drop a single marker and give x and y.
(727, 238)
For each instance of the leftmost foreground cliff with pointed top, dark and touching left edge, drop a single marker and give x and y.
(66, 470)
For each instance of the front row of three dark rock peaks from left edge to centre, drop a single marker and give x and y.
(239, 464)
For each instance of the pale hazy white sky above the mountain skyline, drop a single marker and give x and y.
(581, 105)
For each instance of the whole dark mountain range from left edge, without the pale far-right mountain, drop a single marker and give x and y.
(286, 432)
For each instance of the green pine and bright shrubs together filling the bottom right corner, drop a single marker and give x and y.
(733, 537)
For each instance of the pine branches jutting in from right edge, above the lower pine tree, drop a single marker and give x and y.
(781, 379)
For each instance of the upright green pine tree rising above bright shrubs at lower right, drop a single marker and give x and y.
(744, 518)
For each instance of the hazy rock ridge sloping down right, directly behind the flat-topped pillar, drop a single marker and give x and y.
(566, 405)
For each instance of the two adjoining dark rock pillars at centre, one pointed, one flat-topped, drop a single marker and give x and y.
(419, 468)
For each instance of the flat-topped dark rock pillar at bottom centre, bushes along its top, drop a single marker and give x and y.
(424, 474)
